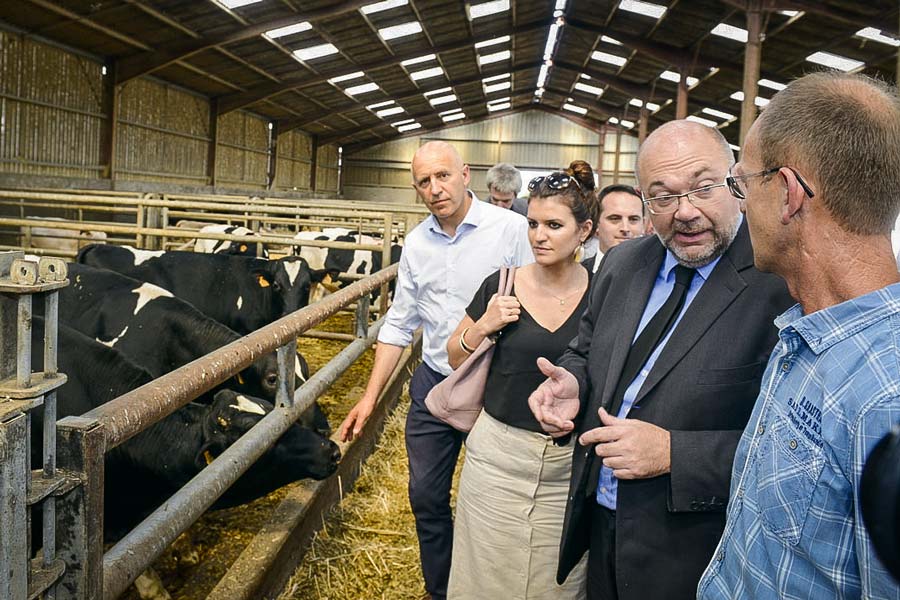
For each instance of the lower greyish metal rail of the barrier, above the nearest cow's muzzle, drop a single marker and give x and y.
(122, 564)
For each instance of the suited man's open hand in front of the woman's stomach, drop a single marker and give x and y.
(555, 402)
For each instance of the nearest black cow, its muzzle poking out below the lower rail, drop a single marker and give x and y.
(145, 470)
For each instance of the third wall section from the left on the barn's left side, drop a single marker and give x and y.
(242, 157)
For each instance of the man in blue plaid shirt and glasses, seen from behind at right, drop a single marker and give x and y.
(819, 177)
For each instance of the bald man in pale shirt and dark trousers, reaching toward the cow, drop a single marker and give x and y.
(445, 259)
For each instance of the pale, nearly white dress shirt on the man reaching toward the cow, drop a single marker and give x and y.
(440, 274)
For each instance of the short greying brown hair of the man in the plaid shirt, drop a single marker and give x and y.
(844, 129)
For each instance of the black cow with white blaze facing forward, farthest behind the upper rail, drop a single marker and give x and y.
(241, 292)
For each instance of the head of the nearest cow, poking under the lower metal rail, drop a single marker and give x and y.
(299, 453)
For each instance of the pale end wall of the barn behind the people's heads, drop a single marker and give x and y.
(532, 141)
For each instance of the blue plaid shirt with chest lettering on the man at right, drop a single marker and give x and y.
(830, 392)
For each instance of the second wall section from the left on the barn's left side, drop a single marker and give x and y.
(163, 134)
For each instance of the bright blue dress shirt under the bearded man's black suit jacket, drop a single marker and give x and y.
(607, 485)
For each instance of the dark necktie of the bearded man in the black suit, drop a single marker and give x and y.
(653, 333)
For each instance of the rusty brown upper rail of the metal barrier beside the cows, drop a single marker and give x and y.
(133, 412)
